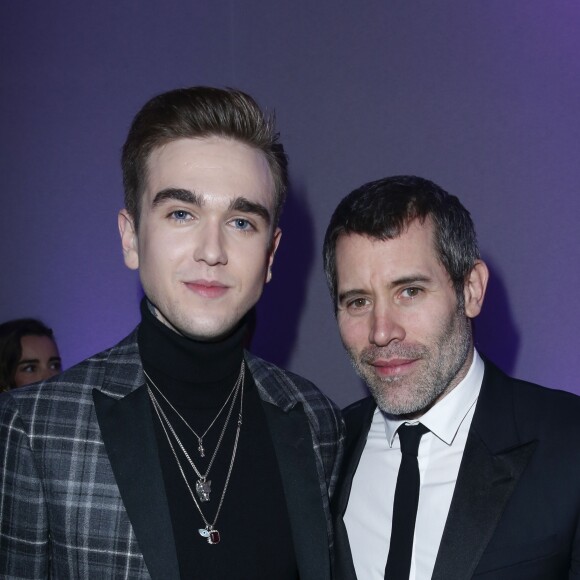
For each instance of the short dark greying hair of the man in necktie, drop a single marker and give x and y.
(383, 210)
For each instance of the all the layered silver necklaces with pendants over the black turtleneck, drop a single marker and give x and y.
(203, 484)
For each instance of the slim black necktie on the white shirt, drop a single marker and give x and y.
(405, 504)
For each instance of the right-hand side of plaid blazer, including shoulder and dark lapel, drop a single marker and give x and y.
(307, 433)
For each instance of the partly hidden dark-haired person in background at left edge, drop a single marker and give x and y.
(28, 353)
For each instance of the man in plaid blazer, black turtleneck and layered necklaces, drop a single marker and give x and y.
(176, 454)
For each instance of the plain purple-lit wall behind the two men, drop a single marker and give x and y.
(481, 97)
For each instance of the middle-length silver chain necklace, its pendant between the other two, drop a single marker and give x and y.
(202, 485)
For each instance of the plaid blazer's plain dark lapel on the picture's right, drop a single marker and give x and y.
(293, 446)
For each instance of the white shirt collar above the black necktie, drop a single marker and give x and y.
(446, 416)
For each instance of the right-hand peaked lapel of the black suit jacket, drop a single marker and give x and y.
(493, 461)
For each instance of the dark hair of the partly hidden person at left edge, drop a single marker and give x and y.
(11, 347)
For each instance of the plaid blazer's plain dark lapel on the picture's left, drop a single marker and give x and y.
(127, 431)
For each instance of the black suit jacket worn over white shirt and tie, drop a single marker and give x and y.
(515, 512)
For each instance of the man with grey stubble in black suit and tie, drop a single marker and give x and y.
(495, 490)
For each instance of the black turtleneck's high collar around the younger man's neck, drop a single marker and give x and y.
(187, 360)
